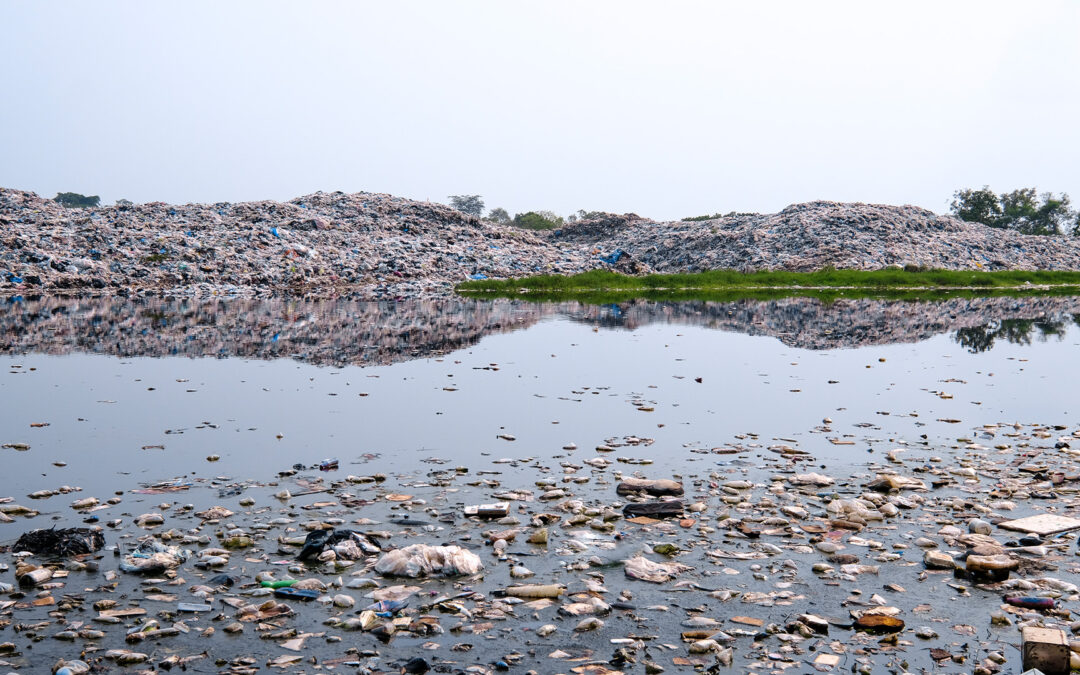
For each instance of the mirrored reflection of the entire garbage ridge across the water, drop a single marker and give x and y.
(345, 332)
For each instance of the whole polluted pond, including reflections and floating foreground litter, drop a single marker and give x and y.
(782, 487)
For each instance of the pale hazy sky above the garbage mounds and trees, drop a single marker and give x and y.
(667, 110)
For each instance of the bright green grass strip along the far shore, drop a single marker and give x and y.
(732, 285)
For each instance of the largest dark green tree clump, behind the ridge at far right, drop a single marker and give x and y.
(1020, 210)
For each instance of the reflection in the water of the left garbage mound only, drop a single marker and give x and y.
(344, 332)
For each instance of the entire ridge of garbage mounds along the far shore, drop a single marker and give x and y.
(382, 247)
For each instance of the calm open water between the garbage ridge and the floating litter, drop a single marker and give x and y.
(548, 375)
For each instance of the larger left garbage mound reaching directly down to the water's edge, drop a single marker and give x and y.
(320, 245)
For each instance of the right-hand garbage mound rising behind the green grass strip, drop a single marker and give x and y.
(816, 235)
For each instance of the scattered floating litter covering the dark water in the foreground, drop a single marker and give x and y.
(958, 559)
